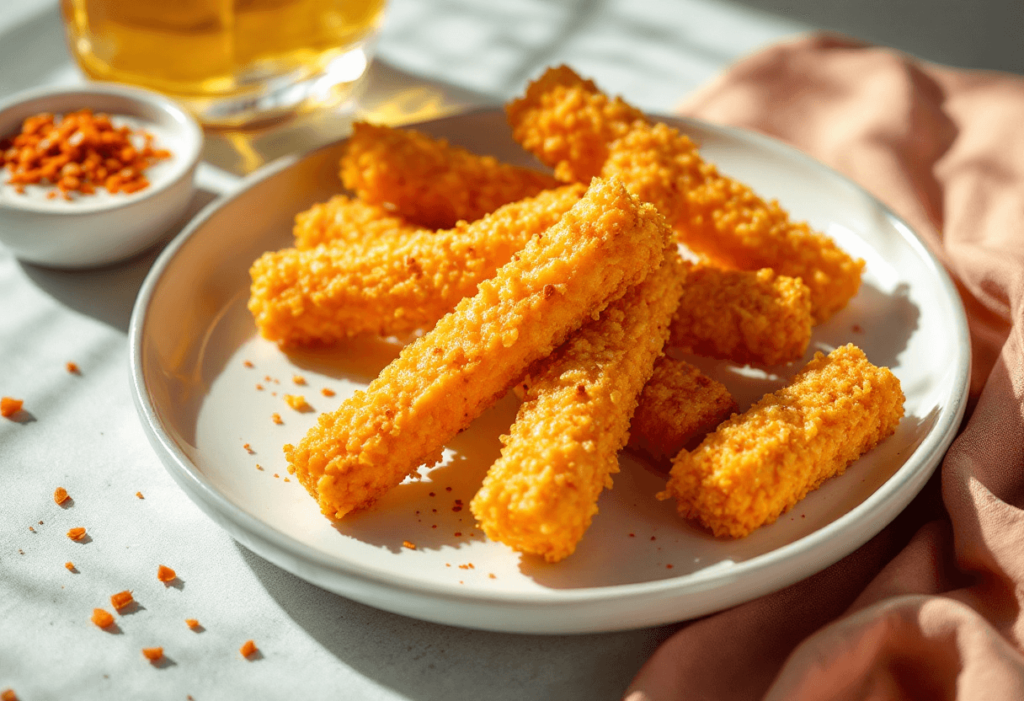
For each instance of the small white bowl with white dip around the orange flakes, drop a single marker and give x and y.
(100, 229)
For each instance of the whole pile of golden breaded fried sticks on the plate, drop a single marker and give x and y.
(570, 289)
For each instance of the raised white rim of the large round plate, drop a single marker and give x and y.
(892, 497)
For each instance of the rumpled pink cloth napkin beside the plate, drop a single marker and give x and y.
(932, 607)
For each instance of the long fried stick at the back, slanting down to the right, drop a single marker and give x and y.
(569, 124)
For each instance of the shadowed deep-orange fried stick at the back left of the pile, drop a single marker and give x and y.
(430, 183)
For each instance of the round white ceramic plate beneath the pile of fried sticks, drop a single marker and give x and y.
(639, 564)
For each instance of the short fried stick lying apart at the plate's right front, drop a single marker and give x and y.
(759, 464)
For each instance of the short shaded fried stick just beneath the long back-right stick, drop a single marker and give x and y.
(742, 316)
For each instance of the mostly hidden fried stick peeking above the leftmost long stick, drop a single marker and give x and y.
(342, 220)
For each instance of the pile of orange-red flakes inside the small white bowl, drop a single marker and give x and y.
(80, 153)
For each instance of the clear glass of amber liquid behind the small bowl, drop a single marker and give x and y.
(237, 54)
